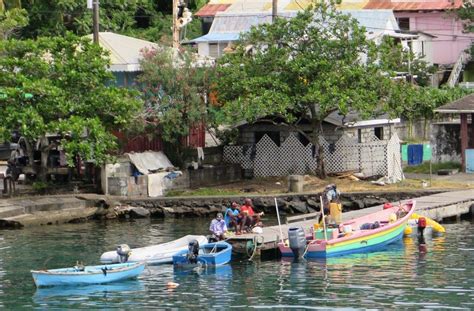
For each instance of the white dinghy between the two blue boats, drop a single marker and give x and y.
(154, 254)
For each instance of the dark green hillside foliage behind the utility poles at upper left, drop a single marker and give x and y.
(147, 19)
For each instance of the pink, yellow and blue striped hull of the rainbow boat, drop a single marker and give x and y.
(359, 241)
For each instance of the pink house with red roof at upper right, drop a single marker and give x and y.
(432, 17)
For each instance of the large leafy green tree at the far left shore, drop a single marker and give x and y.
(58, 85)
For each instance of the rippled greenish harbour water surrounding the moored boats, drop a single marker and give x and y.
(403, 277)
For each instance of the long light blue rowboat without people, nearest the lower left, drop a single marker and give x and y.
(87, 274)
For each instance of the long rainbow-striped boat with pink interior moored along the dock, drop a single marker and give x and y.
(364, 234)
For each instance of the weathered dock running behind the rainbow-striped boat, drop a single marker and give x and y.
(437, 206)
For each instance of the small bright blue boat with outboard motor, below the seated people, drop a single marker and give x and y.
(209, 254)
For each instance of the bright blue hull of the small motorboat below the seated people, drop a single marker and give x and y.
(221, 256)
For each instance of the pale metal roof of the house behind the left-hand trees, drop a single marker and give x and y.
(125, 52)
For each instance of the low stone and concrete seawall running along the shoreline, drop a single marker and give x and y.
(42, 210)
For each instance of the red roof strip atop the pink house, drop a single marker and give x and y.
(423, 5)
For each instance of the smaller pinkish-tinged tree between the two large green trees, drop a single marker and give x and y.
(175, 91)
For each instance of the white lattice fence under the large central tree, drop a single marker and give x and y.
(375, 157)
